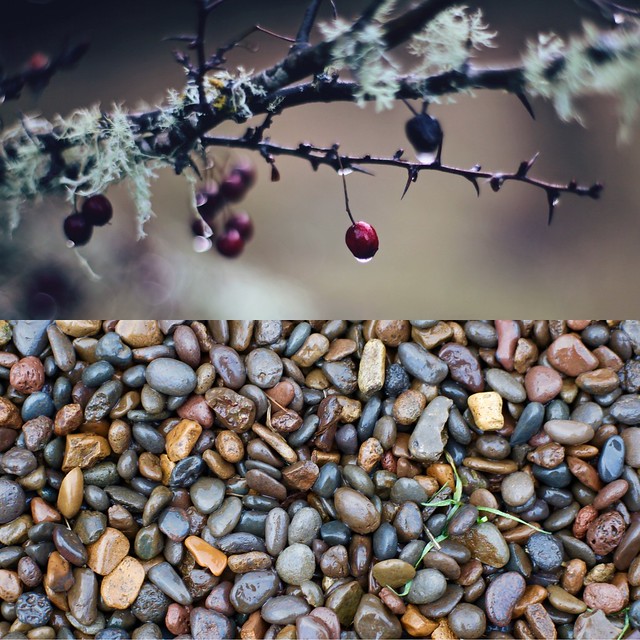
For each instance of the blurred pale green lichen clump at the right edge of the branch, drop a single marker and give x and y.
(594, 63)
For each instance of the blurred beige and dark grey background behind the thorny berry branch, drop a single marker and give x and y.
(442, 250)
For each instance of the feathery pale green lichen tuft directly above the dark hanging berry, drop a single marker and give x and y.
(449, 40)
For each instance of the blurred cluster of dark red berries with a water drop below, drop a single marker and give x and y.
(236, 228)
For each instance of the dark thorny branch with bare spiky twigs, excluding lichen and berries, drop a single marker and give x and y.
(300, 78)
